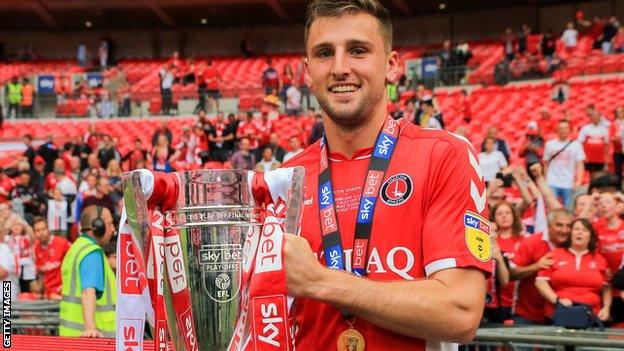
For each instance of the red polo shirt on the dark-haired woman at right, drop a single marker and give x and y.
(578, 277)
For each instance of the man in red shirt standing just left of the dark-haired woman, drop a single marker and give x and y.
(532, 255)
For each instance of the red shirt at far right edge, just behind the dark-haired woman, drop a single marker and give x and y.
(610, 243)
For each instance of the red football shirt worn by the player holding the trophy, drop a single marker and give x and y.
(418, 227)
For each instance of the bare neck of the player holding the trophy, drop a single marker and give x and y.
(347, 140)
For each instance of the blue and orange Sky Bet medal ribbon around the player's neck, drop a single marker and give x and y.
(330, 232)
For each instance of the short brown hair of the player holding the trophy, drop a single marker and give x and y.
(336, 8)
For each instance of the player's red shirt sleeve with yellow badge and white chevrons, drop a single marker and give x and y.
(456, 195)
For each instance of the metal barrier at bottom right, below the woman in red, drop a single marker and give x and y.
(547, 338)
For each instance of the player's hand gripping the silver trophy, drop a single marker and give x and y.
(302, 268)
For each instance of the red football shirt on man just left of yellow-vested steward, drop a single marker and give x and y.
(48, 260)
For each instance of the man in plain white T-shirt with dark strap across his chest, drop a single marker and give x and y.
(564, 163)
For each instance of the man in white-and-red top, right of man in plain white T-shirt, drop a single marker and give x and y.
(594, 137)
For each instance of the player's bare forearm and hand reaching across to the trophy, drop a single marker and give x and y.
(445, 306)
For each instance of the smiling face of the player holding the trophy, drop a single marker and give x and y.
(348, 65)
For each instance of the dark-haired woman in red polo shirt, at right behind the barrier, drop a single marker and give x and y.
(578, 274)
